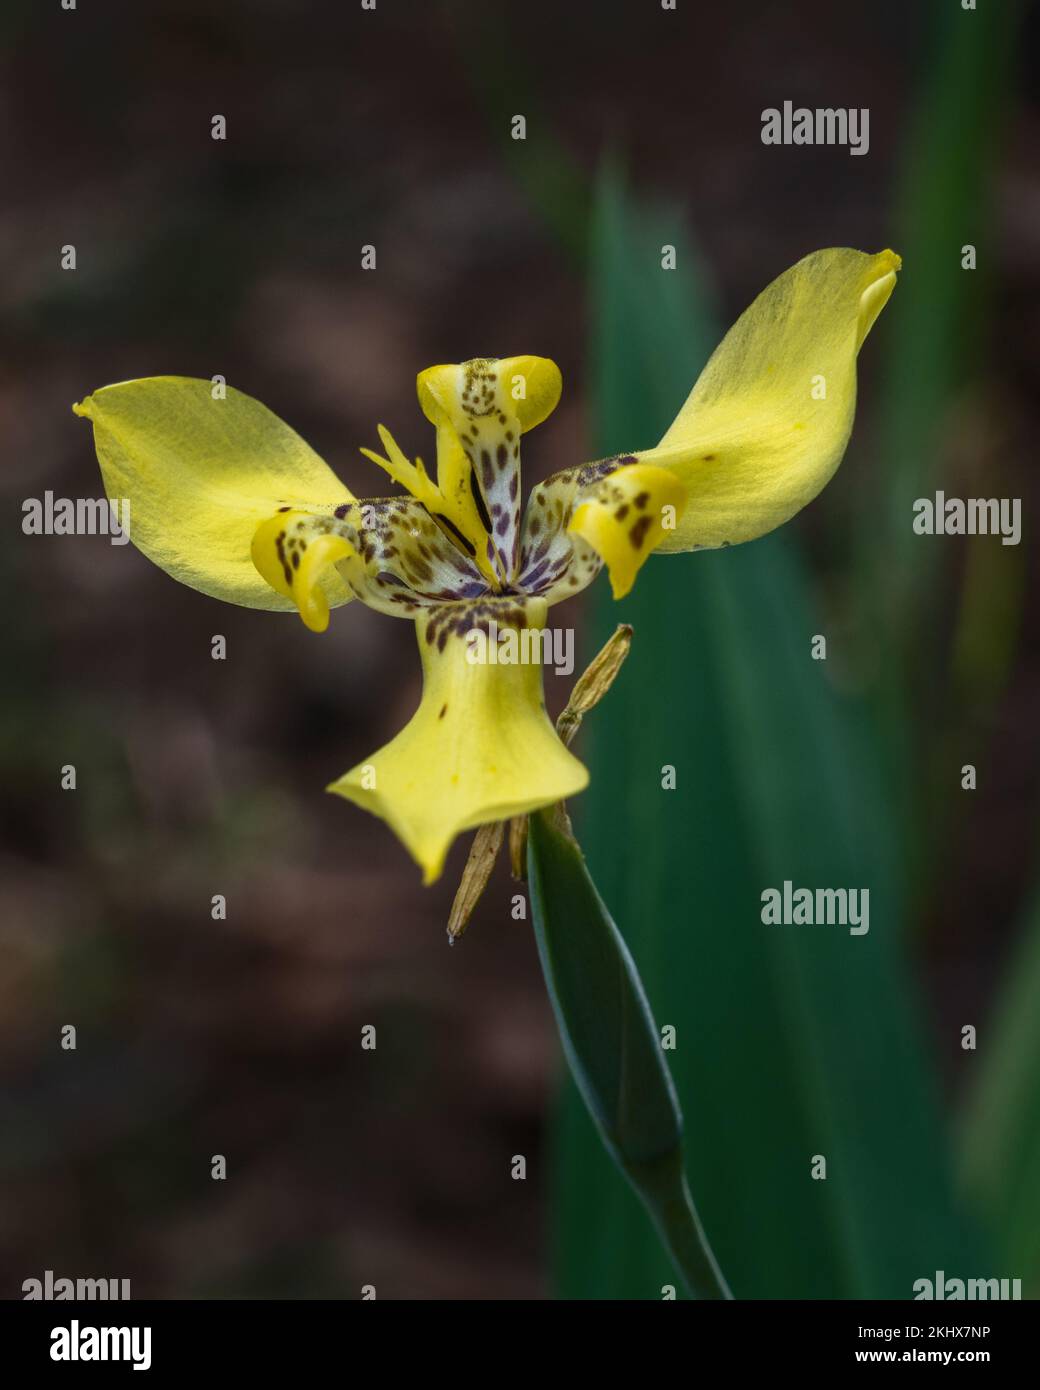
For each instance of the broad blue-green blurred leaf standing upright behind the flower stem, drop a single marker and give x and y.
(792, 1042)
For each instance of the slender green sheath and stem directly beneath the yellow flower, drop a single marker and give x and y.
(612, 1043)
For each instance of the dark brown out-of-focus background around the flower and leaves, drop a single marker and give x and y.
(201, 778)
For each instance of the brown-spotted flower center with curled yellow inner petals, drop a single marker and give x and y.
(458, 539)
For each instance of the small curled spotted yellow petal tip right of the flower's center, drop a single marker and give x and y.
(628, 516)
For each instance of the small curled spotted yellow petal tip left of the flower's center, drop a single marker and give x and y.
(295, 551)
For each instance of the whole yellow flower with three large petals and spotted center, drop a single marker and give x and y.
(229, 500)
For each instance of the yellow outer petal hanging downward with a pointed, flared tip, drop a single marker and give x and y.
(480, 747)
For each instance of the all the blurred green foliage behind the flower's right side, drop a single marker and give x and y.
(800, 1045)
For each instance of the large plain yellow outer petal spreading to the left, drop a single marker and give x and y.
(201, 475)
